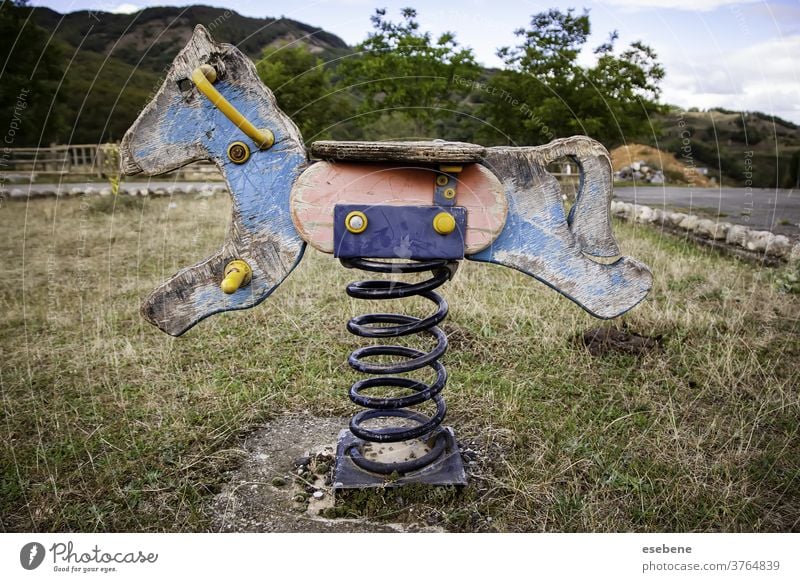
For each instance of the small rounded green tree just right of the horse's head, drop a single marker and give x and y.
(304, 90)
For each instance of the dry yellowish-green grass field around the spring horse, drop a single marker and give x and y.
(108, 424)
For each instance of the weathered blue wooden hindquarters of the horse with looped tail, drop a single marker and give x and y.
(540, 241)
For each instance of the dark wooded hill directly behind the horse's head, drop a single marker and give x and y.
(116, 61)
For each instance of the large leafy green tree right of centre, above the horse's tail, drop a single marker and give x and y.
(545, 93)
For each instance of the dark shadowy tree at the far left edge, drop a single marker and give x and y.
(30, 78)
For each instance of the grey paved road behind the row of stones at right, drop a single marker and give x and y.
(761, 209)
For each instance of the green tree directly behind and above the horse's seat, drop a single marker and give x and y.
(405, 79)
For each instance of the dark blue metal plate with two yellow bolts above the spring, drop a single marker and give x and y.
(399, 232)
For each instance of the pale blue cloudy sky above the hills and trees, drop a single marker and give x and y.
(737, 54)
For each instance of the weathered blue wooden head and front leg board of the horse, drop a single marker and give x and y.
(181, 126)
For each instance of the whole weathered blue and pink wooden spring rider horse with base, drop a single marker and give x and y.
(387, 207)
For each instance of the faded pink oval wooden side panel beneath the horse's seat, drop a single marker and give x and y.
(325, 184)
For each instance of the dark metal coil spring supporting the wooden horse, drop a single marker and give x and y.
(382, 325)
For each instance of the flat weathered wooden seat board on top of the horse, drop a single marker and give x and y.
(420, 152)
